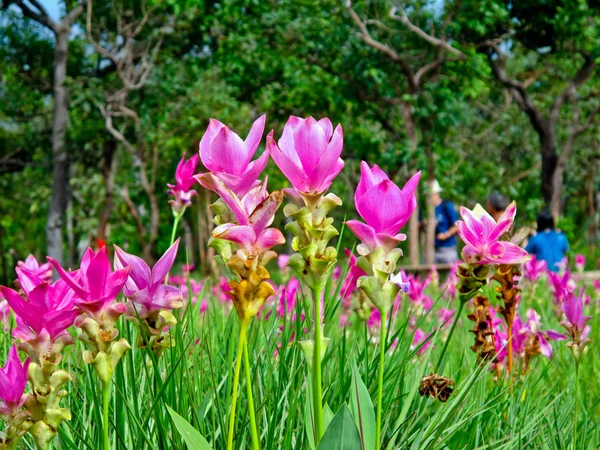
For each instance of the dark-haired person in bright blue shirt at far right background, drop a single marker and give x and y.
(548, 244)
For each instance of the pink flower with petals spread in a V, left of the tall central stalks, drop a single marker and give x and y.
(145, 288)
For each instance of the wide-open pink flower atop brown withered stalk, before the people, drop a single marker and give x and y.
(481, 234)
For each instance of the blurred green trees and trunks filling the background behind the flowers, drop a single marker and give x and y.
(100, 99)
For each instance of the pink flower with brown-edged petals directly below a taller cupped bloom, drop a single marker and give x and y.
(254, 213)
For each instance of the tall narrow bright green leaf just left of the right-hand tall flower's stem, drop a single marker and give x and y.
(362, 410)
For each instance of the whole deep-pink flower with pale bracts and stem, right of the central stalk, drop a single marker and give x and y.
(386, 209)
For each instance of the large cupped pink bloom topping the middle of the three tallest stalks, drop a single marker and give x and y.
(308, 153)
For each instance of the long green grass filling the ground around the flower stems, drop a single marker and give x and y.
(194, 378)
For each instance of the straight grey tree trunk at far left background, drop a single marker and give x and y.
(60, 174)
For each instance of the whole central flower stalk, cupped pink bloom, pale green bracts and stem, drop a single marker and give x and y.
(308, 154)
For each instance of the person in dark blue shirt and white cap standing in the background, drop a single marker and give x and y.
(445, 229)
